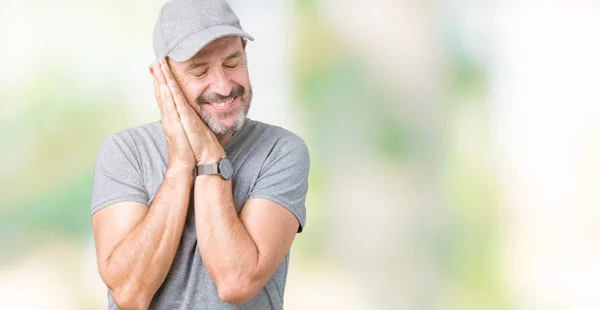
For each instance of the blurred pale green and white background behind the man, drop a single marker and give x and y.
(455, 146)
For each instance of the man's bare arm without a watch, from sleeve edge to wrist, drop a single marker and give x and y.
(135, 245)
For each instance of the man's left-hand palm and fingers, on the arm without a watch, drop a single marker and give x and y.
(180, 152)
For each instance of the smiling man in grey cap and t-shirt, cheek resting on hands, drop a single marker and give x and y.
(199, 210)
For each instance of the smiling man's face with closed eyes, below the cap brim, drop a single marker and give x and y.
(216, 84)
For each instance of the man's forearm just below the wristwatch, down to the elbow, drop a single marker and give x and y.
(227, 250)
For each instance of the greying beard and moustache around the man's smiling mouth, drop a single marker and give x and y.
(212, 121)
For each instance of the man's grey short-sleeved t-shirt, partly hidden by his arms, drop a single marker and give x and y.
(269, 162)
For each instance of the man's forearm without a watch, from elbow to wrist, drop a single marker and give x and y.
(141, 261)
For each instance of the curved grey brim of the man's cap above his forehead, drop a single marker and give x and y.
(186, 49)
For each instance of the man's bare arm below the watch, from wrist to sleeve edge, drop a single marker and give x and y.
(241, 253)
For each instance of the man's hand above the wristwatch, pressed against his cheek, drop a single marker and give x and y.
(204, 144)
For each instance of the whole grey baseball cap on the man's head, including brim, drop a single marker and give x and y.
(184, 27)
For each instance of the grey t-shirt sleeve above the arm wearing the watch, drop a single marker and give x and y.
(284, 177)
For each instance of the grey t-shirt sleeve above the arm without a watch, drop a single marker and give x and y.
(117, 176)
